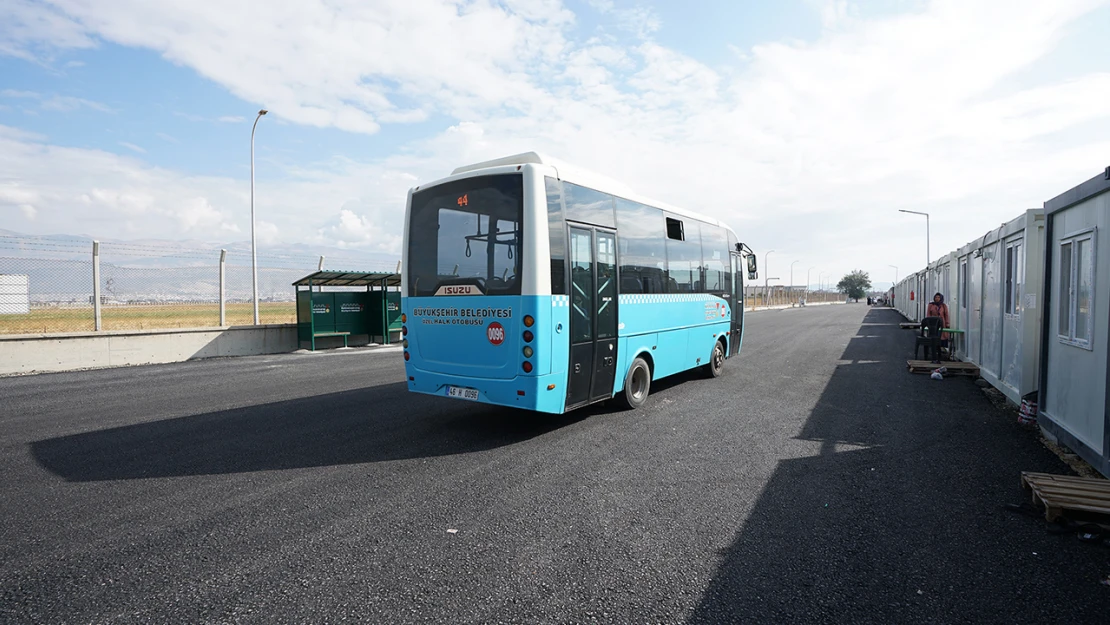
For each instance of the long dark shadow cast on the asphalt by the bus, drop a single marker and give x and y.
(375, 425)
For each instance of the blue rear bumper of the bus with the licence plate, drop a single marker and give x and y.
(524, 392)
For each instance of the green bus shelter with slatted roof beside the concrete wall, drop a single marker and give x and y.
(331, 305)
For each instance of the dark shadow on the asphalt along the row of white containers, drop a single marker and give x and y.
(897, 517)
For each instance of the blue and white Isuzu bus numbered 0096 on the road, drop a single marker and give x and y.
(530, 284)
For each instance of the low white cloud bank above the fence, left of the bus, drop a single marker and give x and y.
(341, 203)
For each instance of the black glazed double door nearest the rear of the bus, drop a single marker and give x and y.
(593, 316)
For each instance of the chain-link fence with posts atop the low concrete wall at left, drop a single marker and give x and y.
(47, 287)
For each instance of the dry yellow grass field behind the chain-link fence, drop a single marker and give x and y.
(154, 317)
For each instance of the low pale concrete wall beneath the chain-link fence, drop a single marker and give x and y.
(27, 354)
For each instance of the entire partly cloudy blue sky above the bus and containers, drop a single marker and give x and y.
(804, 125)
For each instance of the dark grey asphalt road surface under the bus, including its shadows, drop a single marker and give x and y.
(814, 482)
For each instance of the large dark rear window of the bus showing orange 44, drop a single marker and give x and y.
(468, 234)
